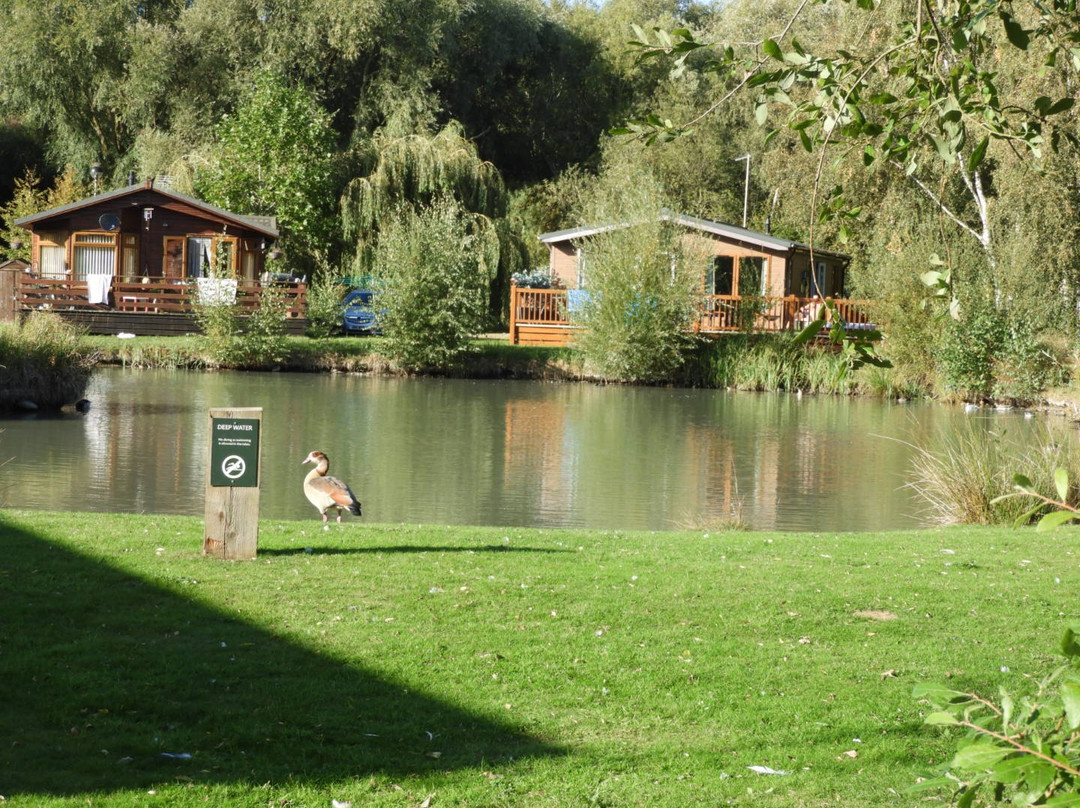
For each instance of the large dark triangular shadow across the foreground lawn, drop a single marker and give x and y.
(105, 672)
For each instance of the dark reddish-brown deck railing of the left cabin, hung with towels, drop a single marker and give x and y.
(154, 297)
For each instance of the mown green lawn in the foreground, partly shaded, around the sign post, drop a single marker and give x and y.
(388, 666)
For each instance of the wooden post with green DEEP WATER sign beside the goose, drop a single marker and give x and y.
(233, 483)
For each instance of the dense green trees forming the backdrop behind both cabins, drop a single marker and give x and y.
(934, 141)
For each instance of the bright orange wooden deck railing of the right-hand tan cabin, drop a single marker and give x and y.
(552, 309)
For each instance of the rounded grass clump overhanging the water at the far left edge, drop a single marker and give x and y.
(43, 361)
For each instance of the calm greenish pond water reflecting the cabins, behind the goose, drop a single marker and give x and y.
(490, 453)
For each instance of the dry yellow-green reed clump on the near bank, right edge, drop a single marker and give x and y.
(974, 466)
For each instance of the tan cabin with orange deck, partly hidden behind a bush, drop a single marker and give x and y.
(750, 281)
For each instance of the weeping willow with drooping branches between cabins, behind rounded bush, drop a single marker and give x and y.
(412, 172)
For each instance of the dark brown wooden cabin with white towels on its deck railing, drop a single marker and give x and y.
(136, 260)
